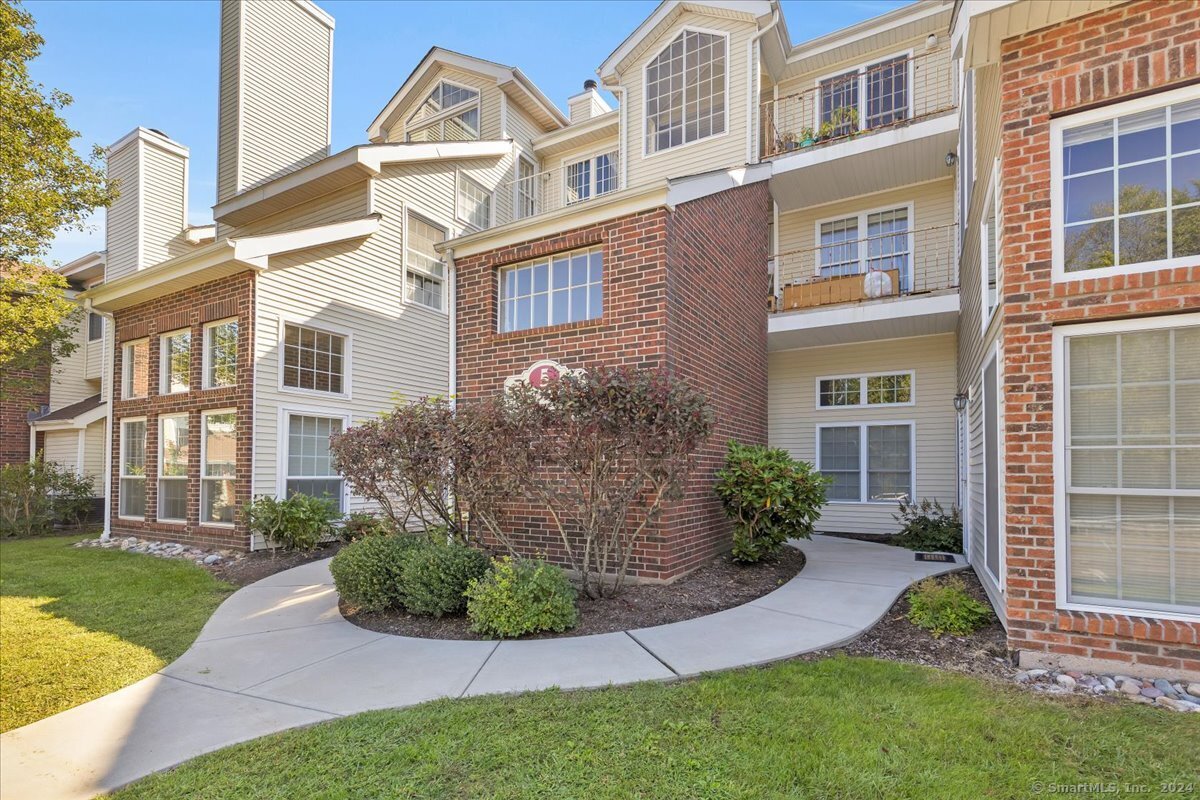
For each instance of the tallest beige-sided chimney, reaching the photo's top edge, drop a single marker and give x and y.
(275, 91)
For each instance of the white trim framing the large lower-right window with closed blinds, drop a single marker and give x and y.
(1059, 359)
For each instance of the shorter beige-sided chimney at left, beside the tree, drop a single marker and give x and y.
(146, 224)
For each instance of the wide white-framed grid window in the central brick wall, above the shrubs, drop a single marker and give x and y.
(567, 288)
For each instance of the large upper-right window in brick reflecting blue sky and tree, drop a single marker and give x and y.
(1126, 187)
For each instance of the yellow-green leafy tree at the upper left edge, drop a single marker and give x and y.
(45, 185)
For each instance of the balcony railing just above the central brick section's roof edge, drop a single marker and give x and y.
(556, 189)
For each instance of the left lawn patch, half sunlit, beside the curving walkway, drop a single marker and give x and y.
(77, 624)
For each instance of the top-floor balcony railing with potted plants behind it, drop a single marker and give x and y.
(883, 97)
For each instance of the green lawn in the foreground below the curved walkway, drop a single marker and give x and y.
(835, 729)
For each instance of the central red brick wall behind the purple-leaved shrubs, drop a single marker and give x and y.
(683, 290)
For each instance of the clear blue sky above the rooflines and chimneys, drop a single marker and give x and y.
(155, 63)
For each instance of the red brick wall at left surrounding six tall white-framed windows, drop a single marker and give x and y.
(227, 298)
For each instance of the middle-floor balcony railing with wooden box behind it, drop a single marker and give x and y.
(874, 268)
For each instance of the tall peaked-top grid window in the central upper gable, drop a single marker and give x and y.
(686, 91)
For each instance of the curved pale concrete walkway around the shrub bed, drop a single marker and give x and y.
(279, 655)
